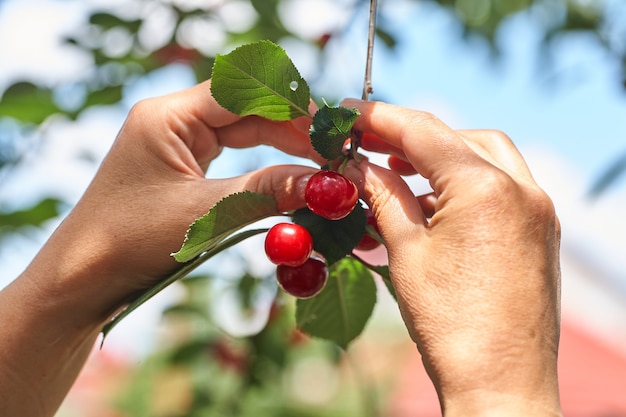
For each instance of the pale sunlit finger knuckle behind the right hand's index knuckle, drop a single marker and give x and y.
(499, 149)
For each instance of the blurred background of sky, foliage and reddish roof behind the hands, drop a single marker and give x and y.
(549, 73)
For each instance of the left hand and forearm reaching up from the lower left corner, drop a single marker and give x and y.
(117, 241)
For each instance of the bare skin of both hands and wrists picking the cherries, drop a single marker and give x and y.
(475, 265)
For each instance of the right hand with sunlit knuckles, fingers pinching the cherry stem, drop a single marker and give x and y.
(475, 265)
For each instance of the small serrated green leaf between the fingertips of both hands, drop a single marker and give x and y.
(330, 128)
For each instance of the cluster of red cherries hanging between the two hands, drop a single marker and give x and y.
(299, 271)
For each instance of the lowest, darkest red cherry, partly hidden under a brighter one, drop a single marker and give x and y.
(304, 281)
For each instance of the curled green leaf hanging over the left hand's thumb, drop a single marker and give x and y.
(227, 216)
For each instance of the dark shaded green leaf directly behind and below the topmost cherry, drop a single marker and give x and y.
(334, 239)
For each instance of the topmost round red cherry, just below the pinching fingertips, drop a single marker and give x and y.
(330, 195)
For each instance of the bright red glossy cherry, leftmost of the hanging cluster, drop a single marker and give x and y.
(288, 244)
